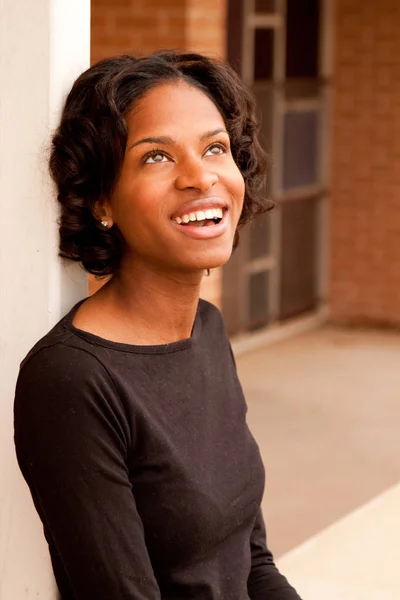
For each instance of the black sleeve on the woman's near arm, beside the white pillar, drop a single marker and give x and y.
(72, 436)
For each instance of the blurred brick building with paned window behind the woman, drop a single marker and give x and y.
(326, 78)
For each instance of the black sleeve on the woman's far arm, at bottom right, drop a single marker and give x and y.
(265, 582)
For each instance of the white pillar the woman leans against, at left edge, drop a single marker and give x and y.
(44, 45)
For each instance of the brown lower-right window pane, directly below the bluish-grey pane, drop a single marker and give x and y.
(298, 276)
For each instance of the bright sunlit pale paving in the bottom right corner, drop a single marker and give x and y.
(356, 558)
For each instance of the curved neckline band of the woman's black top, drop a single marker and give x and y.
(138, 349)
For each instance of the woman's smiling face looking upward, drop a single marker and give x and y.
(180, 194)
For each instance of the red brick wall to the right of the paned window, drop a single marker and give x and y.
(365, 265)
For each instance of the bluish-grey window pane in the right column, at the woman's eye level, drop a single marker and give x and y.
(300, 148)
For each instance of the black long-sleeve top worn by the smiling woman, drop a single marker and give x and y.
(142, 468)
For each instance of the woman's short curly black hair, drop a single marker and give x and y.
(88, 147)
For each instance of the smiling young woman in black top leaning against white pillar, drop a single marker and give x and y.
(130, 422)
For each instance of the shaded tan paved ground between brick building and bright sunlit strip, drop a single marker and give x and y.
(325, 410)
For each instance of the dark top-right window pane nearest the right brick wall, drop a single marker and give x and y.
(302, 38)
